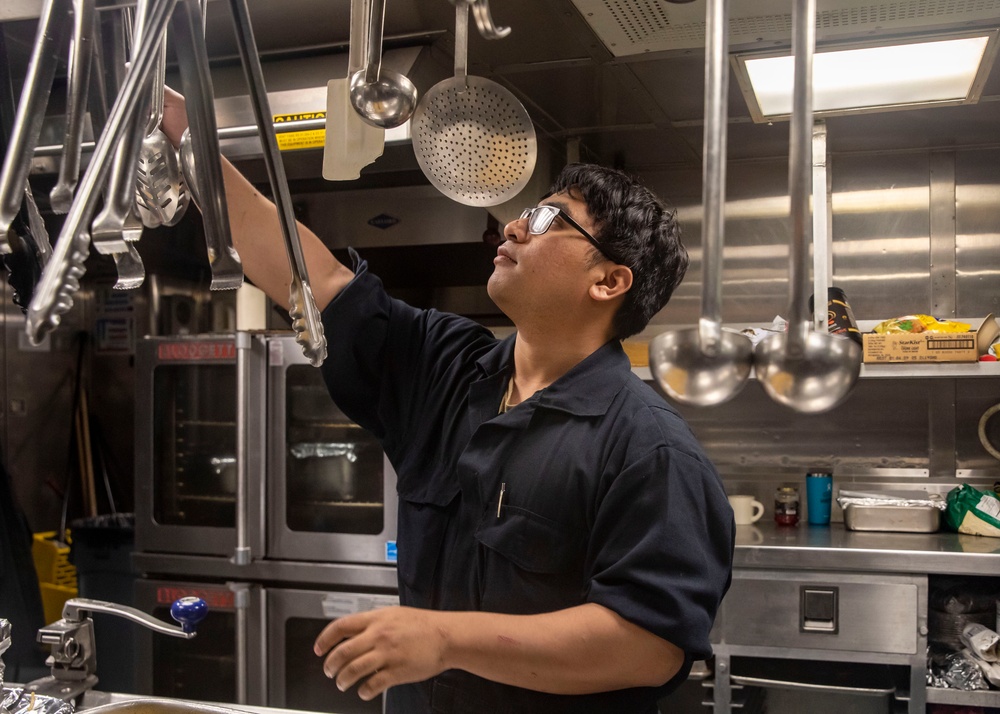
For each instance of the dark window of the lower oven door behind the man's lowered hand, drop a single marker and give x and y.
(306, 687)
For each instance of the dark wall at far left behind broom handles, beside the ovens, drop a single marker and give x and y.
(37, 390)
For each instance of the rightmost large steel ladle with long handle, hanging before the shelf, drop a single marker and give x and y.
(803, 369)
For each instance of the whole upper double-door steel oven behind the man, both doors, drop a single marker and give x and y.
(330, 491)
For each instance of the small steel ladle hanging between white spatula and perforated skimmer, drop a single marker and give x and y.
(381, 96)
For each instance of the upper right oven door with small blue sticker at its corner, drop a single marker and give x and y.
(331, 490)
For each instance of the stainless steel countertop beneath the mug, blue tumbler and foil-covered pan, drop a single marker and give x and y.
(833, 547)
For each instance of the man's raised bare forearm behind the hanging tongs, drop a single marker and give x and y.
(256, 231)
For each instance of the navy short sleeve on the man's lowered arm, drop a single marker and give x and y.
(664, 561)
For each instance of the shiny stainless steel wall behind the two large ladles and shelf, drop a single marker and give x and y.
(912, 232)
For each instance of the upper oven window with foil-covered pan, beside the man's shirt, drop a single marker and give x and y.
(334, 468)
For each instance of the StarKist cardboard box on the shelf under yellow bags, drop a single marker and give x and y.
(931, 346)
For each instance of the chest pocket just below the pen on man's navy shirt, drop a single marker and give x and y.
(528, 563)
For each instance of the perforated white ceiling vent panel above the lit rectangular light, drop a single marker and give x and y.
(635, 27)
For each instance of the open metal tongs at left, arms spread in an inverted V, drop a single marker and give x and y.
(60, 279)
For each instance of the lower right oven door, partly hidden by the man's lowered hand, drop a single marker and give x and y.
(295, 675)
